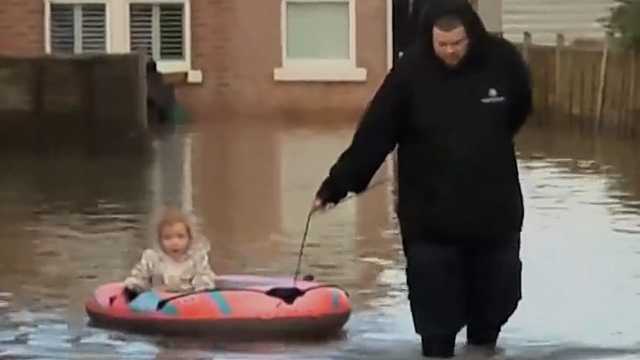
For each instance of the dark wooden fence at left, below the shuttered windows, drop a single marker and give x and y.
(53, 102)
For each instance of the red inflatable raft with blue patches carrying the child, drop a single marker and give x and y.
(244, 310)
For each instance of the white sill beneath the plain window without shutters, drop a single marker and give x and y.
(320, 74)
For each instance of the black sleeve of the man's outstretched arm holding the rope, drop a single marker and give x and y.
(376, 135)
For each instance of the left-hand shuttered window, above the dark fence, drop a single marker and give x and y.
(76, 28)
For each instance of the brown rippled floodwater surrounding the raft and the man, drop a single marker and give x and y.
(70, 223)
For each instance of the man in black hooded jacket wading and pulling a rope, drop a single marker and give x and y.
(453, 105)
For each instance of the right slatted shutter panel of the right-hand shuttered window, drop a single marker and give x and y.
(171, 32)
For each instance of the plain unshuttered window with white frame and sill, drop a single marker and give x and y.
(318, 41)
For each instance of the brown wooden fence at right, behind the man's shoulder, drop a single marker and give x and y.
(590, 86)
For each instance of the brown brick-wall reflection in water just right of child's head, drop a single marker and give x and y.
(237, 192)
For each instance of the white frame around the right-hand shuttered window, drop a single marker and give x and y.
(166, 66)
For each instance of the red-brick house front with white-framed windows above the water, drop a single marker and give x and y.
(247, 55)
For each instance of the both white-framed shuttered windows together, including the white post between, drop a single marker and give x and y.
(159, 27)
